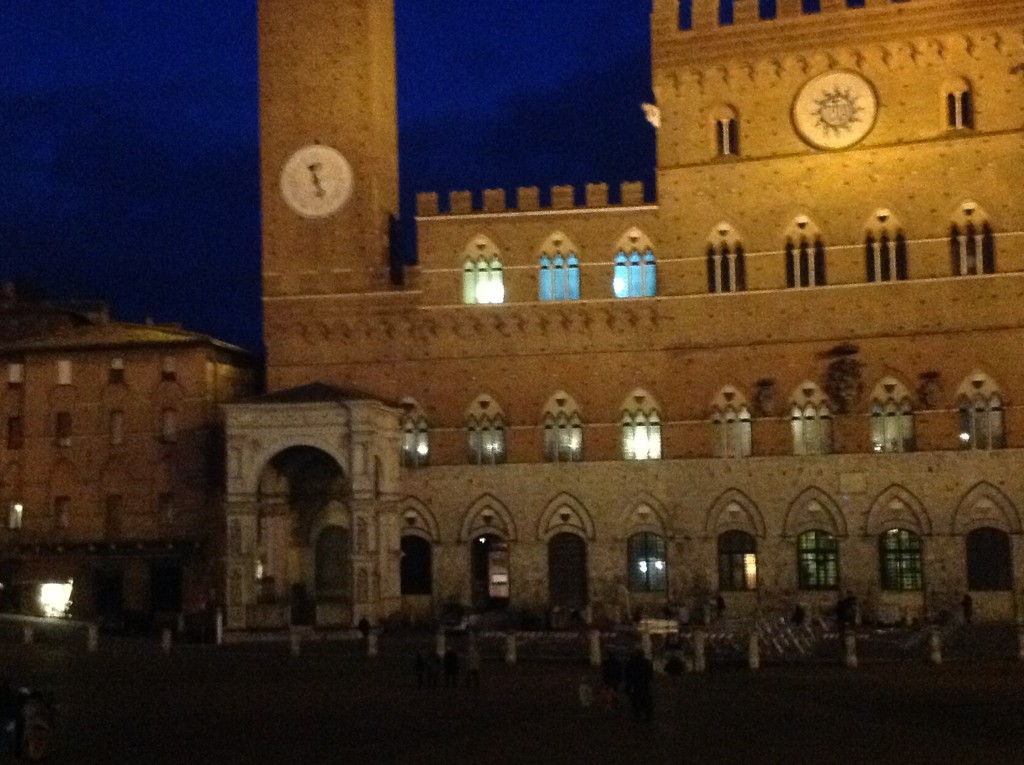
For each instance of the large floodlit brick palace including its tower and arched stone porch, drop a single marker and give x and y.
(789, 373)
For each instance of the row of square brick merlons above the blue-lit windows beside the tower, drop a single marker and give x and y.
(529, 200)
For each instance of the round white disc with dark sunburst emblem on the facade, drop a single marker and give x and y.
(835, 110)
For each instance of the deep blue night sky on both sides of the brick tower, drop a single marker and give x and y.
(130, 146)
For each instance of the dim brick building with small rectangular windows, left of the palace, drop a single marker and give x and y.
(111, 460)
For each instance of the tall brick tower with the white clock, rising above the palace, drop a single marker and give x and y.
(329, 154)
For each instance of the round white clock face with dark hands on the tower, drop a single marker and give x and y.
(317, 182)
